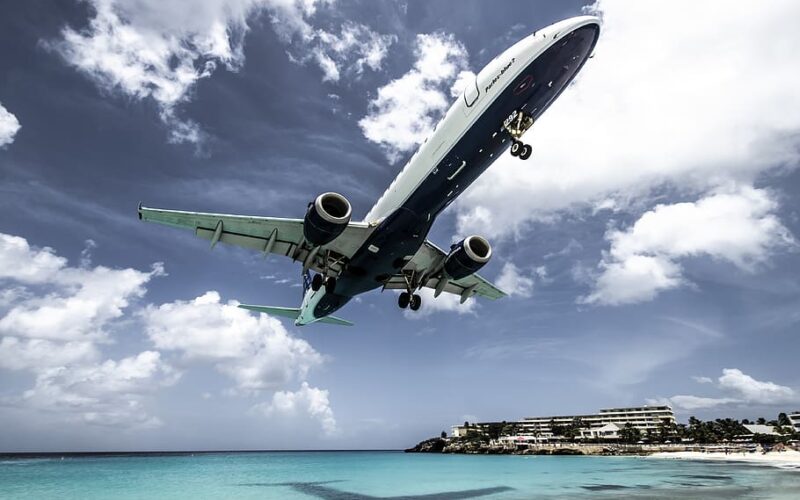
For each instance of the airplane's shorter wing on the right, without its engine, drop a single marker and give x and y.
(427, 262)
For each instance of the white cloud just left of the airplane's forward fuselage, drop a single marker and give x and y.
(405, 110)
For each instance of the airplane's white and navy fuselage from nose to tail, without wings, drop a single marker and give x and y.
(525, 78)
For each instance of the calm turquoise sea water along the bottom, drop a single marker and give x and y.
(365, 475)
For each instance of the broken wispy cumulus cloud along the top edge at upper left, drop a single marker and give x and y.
(160, 49)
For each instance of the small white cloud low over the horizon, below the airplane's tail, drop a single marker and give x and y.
(309, 400)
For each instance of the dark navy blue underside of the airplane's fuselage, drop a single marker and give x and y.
(403, 229)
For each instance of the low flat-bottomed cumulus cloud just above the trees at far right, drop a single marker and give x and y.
(738, 388)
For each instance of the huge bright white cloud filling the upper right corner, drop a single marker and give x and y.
(656, 106)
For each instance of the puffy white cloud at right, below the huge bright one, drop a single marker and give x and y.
(737, 226)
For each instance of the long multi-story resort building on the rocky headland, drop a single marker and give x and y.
(605, 424)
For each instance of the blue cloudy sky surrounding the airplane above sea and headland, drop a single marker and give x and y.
(650, 245)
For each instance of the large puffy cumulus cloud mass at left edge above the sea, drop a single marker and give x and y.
(53, 326)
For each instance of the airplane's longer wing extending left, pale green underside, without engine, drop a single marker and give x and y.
(268, 235)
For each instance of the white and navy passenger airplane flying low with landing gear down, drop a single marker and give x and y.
(389, 248)
